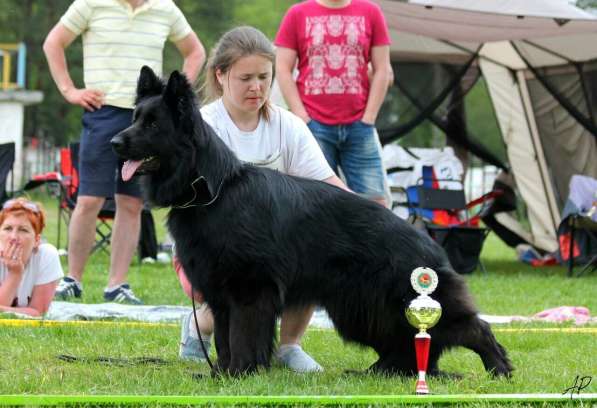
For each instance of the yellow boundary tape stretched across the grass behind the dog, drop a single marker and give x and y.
(103, 323)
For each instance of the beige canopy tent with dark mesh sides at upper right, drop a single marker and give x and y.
(521, 47)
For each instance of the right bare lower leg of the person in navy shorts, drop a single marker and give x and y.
(125, 237)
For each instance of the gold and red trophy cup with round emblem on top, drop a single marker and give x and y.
(423, 313)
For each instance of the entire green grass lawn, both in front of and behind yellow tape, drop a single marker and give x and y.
(545, 361)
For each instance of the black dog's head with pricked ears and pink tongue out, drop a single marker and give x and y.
(162, 127)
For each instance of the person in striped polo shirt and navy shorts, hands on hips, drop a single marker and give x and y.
(119, 37)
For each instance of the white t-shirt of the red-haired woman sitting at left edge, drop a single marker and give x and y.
(43, 267)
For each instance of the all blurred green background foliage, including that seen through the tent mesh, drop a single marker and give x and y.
(59, 122)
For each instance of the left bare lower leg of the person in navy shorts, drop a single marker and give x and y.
(81, 234)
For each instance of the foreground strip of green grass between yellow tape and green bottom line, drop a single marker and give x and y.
(545, 363)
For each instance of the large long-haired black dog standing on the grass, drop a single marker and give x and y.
(256, 241)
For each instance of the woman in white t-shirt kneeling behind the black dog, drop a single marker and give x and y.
(237, 87)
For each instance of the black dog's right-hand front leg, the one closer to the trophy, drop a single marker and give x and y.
(252, 335)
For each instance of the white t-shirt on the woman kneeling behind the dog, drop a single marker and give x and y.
(285, 134)
